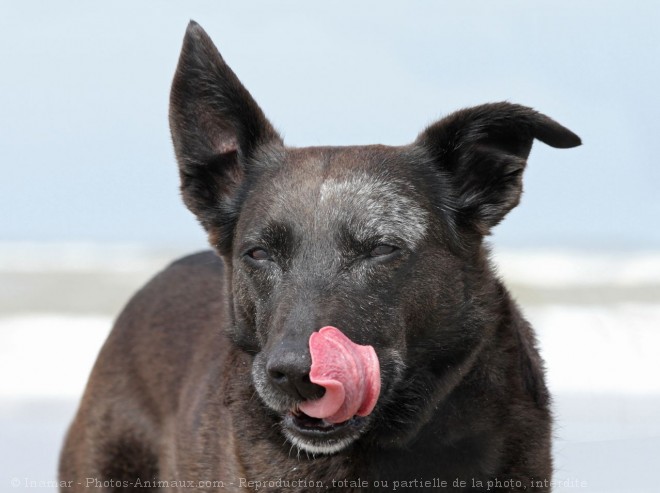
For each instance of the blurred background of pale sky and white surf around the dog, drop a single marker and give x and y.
(90, 208)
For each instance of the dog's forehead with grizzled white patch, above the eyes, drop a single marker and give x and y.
(363, 187)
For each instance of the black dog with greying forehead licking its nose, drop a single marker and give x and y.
(346, 333)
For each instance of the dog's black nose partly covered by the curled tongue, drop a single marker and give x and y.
(289, 371)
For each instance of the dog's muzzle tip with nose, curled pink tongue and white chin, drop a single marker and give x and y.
(325, 405)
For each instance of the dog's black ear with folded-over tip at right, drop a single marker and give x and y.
(483, 150)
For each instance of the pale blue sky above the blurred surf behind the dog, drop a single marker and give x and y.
(85, 152)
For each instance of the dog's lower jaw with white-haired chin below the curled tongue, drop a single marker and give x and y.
(319, 436)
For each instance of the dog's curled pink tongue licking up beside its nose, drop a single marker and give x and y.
(350, 374)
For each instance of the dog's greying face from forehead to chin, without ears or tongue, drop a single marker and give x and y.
(334, 237)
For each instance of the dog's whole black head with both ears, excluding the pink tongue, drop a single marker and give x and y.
(377, 241)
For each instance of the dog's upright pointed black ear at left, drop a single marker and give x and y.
(217, 128)
